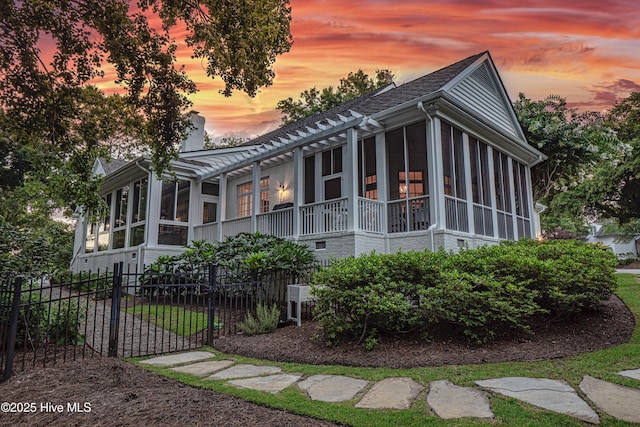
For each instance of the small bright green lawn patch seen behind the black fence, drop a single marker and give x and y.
(178, 320)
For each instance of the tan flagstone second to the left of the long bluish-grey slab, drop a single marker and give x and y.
(391, 393)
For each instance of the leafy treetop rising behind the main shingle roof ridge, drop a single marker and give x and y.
(313, 100)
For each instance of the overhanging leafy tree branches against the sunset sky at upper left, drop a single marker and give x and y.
(50, 50)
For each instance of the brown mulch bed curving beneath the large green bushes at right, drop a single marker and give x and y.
(607, 327)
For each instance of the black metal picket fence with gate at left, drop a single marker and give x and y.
(120, 313)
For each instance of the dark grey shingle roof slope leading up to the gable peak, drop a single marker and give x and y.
(377, 100)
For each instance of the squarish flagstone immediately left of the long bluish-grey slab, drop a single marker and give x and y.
(451, 401)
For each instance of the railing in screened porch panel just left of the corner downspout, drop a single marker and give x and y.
(408, 215)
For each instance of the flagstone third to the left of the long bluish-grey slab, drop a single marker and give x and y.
(332, 388)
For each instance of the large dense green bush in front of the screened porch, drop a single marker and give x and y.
(481, 293)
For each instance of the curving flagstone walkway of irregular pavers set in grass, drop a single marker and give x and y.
(445, 399)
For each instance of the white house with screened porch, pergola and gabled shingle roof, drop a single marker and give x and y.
(440, 161)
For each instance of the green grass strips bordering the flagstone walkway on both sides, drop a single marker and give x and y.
(601, 364)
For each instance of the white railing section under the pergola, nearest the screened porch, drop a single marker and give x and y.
(324, 217)
